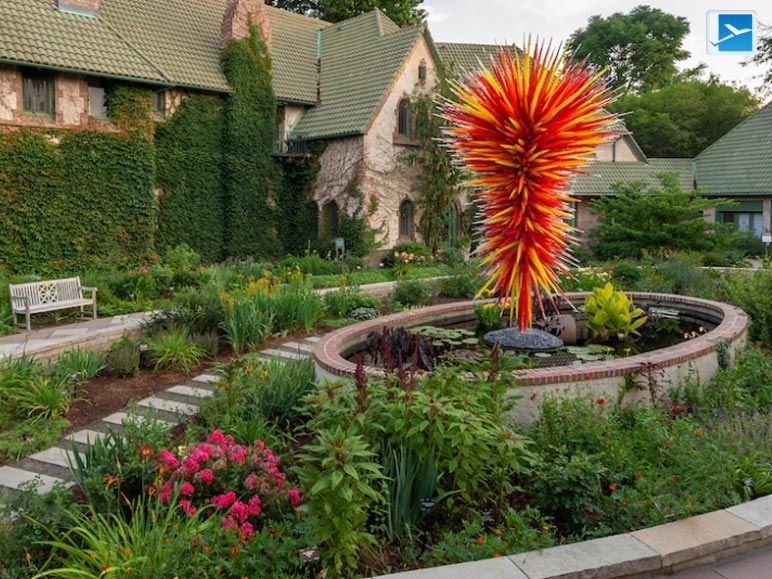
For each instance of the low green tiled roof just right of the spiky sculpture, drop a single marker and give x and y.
(602, 174)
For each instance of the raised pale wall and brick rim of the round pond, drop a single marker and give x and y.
(697, 358)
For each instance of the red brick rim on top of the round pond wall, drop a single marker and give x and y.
(732, 327)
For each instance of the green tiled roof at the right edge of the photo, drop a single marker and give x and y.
(740, 162)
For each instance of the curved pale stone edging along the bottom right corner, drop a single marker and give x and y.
(664, 549)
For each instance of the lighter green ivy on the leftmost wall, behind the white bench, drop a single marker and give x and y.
(77, 200)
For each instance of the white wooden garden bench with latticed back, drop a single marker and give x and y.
(47, 296)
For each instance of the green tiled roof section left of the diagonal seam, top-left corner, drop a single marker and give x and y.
(35, 32)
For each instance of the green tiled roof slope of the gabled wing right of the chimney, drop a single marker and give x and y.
(360, 60)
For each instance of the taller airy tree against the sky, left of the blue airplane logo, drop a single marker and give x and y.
(639, 49)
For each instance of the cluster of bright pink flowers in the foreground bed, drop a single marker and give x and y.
(238, 481)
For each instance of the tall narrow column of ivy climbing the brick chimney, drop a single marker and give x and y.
(251, 207)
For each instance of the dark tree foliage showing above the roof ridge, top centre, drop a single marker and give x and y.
(403, 12)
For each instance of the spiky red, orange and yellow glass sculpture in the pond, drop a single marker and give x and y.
(523, 126)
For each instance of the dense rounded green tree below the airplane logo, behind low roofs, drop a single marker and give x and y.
(683, 118)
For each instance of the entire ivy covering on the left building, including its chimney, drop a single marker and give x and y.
(74, 201)
